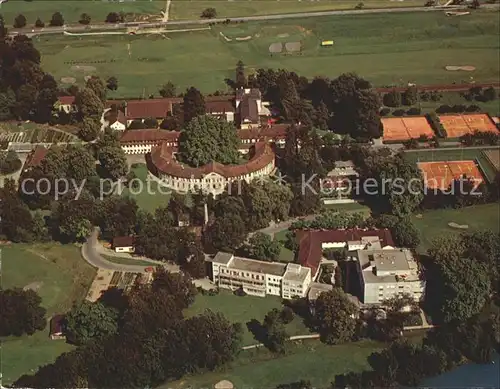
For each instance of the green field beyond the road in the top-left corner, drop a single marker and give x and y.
(72, 9)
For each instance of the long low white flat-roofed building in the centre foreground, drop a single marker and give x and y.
(259, 278)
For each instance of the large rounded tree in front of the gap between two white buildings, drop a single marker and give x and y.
(335, 317)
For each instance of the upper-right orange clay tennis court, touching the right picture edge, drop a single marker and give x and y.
(459, 125)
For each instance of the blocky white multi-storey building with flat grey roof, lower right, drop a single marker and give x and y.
(388, 273)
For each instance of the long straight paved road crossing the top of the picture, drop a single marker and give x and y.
(120, 26)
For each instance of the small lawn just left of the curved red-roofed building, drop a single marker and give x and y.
(146, 199)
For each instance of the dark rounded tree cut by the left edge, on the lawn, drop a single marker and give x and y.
(21, 312)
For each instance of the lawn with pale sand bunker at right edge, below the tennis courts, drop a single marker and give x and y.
(435, 223)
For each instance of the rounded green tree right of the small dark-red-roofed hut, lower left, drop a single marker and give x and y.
(90, 321)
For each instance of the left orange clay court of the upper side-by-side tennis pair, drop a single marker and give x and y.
(401, 129)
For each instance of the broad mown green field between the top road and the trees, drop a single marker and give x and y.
(384, 48)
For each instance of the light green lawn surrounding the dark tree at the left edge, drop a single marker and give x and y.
(61, 278)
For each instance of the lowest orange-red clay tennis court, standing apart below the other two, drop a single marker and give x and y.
(439, 175)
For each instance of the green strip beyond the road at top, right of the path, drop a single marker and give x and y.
(186, 9)
